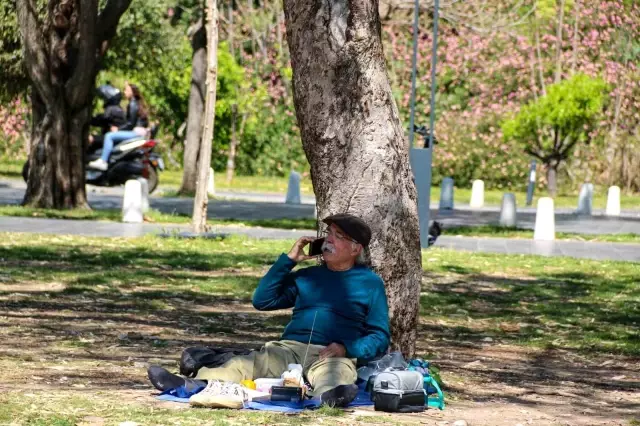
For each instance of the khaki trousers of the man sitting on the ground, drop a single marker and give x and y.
(274, 357)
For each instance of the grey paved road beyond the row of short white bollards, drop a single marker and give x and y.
(260, 206)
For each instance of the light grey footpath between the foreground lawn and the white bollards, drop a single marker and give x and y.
(577, 249)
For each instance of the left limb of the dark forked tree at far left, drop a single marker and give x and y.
(34, 48)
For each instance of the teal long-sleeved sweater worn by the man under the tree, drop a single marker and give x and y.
(351, 306)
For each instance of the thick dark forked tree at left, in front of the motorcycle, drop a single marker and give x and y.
(63, 44)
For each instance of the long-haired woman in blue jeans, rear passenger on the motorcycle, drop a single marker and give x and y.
(135, 126)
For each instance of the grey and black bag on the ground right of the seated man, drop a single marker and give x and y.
(399, 391)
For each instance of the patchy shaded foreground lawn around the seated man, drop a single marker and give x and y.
(523, 337)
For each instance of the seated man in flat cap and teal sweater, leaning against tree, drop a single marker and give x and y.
(342, 301)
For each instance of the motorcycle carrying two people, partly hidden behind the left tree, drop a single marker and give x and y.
(129, 159)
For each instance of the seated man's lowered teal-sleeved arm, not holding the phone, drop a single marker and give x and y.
(376, 339)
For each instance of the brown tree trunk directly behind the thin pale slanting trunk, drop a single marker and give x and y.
(196, 109)
